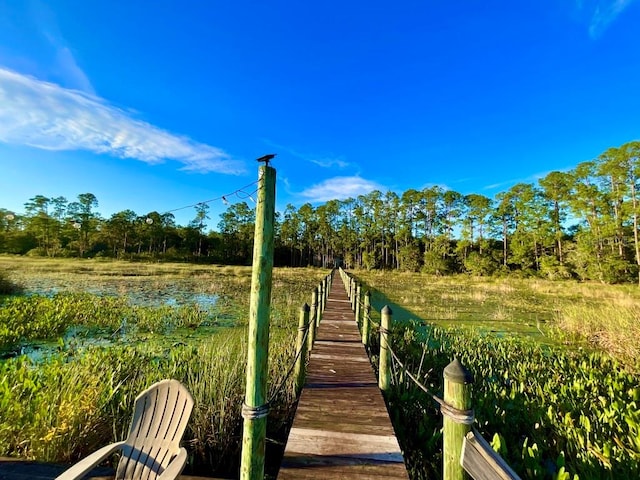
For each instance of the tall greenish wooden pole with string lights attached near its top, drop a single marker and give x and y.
(255, 429)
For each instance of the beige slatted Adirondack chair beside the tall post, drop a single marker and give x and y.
(152, 448)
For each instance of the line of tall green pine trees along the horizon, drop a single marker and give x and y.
(577, 224)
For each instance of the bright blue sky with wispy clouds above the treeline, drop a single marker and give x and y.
(153, 106)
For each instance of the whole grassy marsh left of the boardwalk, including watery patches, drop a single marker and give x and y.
(63, 404)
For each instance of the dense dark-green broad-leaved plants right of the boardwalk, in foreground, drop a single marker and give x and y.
(544, 408)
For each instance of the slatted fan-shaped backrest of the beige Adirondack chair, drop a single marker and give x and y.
(159, 421)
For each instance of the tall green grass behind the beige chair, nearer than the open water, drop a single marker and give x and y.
(63, 408)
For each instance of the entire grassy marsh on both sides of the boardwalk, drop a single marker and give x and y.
(557, 389)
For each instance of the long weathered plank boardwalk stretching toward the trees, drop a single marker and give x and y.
(341, 428)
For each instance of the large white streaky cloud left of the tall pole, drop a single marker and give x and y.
(44, 115)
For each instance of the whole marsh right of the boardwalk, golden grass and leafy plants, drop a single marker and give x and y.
(557, 401)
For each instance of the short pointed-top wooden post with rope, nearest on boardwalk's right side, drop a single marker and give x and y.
(457, 394)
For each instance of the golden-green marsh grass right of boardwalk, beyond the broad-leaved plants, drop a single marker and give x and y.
(605, 316)
